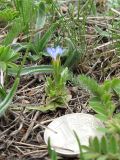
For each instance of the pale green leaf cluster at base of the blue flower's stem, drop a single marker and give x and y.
(55, 87)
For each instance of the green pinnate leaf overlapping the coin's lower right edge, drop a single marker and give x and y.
(105, 149)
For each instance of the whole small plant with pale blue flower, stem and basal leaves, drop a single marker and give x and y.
(55, 87)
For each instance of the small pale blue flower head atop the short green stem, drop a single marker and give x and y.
(54, 52)
